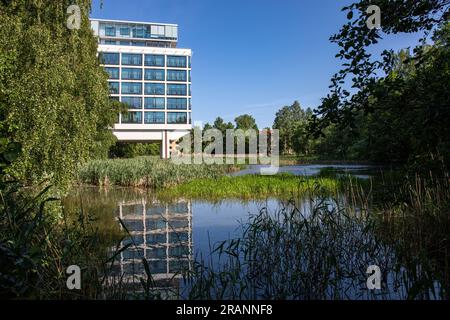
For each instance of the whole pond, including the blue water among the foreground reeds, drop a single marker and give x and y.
(173, 237)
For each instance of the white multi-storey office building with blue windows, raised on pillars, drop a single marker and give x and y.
(149, 73)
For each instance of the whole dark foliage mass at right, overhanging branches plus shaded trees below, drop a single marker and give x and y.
(400, 106)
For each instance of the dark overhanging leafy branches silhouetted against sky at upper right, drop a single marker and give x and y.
(355, 38)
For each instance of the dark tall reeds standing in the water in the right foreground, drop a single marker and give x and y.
(322, 252)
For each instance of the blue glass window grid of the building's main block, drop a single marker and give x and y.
(155, 87)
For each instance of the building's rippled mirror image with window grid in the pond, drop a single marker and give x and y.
(160, 233)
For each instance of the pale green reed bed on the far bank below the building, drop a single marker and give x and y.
(146, 172)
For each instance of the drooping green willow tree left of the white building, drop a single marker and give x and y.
(54, 97)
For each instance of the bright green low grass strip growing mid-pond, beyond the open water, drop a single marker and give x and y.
(250, 187)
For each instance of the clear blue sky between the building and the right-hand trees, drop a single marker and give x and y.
(250, 56)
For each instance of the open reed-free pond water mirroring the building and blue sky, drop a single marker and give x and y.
(171, 236)
